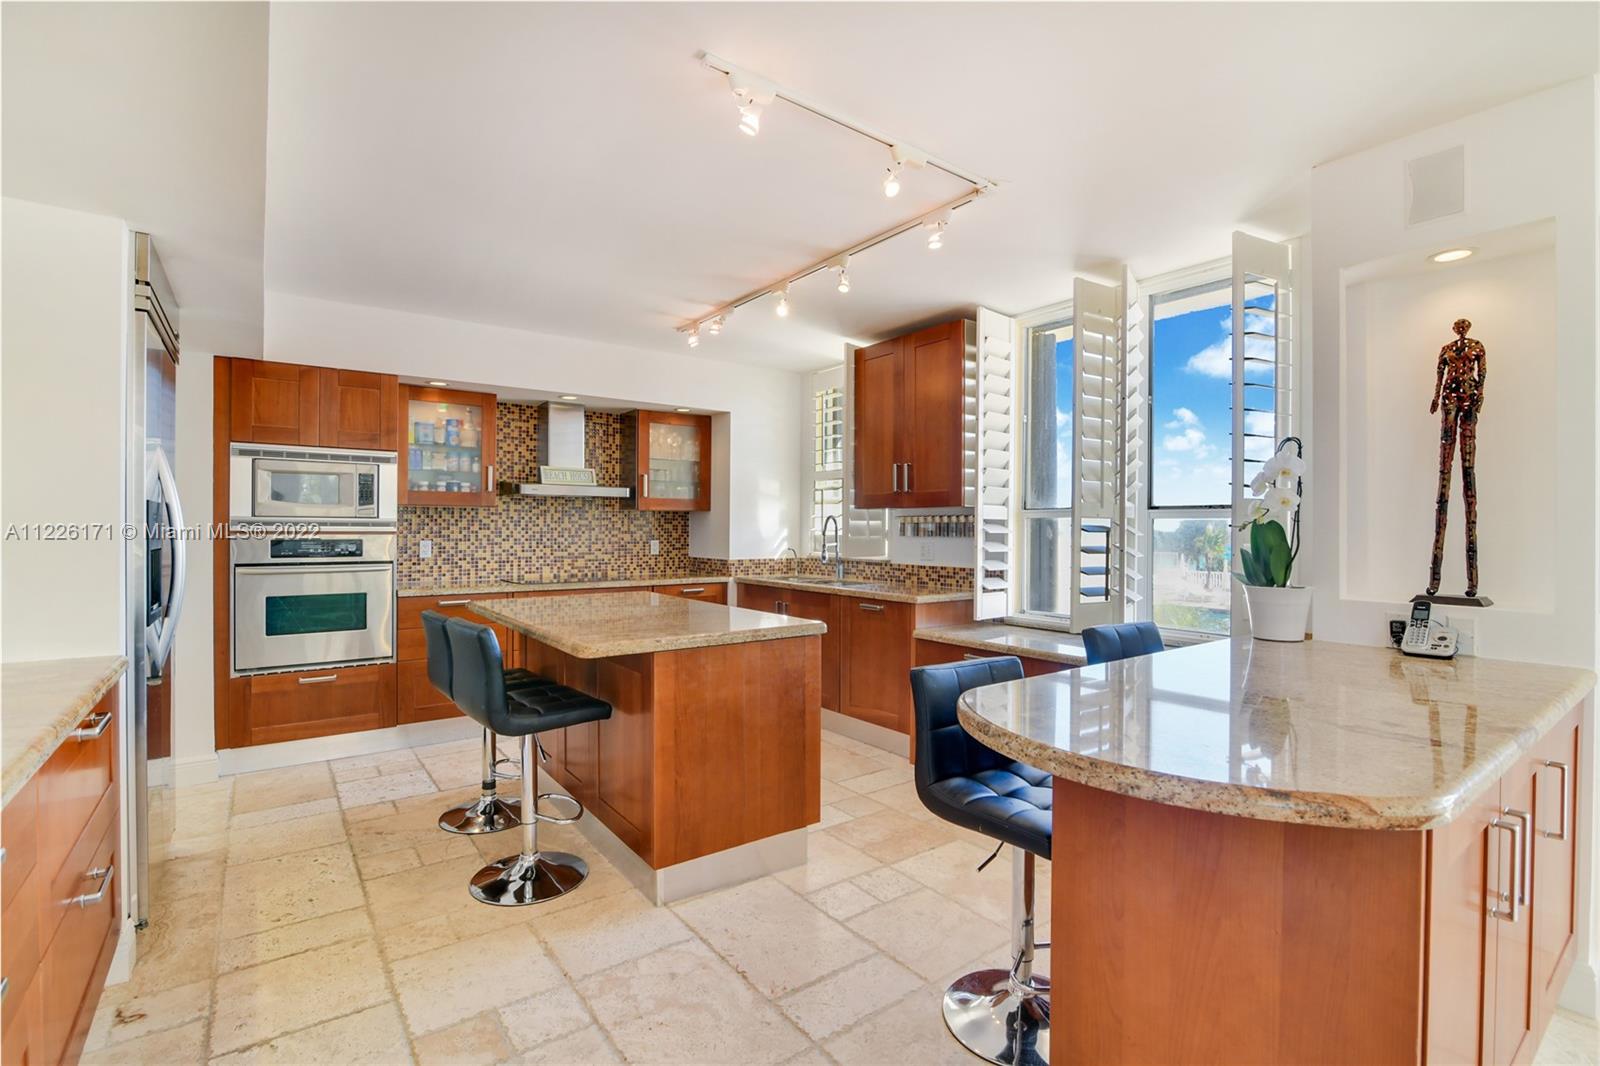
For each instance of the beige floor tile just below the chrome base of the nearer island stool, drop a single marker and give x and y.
(449, 985)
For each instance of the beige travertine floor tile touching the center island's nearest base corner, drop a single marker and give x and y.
(770, 936)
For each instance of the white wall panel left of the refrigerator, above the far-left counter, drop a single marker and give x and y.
(65, 343)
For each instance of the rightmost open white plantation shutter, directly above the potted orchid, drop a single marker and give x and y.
(1263, 326)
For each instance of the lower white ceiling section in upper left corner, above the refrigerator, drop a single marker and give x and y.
(156, 114)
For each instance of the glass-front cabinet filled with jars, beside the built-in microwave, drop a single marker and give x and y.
(447, 459)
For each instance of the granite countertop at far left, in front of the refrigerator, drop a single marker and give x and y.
(44, 700)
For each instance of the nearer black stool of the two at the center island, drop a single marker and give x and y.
(530, 876)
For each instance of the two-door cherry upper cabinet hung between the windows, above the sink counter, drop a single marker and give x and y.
(910, 420)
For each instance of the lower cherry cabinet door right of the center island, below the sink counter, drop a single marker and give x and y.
(878, 652)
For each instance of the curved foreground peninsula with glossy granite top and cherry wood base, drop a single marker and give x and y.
(1305, 852)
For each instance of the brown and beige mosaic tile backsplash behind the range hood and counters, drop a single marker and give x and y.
(577, 539)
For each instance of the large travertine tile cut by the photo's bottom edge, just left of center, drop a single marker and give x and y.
(686, 1006)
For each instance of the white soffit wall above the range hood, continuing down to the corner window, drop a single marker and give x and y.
(756, 483)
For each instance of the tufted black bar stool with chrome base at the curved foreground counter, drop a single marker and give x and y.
(1002, 1016)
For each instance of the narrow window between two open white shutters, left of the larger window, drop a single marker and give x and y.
(1047, 457)
